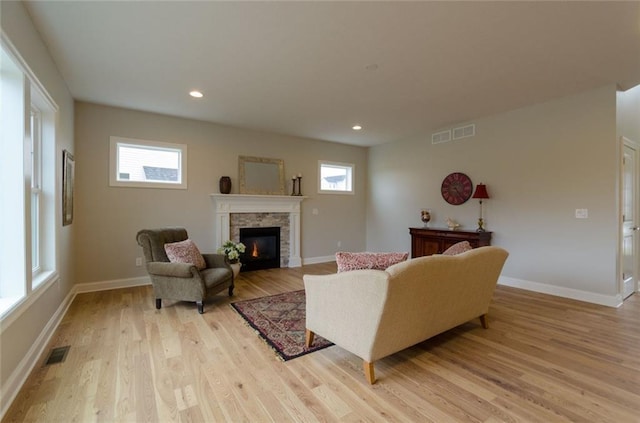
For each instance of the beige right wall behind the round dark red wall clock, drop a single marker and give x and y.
(540, 163)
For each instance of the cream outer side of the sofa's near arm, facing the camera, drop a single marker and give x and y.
(346, 308)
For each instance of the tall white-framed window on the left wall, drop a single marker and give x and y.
(28, 254)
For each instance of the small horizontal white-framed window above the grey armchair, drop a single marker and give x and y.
(151, 164)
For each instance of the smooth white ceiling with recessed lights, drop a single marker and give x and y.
(301, 68)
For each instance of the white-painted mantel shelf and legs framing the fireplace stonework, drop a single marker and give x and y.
(225, 204)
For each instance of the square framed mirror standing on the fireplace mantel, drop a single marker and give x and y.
(261, 175)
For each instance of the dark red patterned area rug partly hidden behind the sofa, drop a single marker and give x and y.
(280, 321)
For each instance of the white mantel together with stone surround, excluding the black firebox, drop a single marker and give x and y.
(233, 211)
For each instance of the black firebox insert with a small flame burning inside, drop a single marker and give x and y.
(262, 248)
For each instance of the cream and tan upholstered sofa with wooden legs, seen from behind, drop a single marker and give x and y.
(375, 313)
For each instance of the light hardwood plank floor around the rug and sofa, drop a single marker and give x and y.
(543, 359)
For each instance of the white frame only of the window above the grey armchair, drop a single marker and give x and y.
(116, 142)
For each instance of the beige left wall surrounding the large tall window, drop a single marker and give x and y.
(22, 333)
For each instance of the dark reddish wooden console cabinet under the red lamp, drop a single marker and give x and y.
(428, 241)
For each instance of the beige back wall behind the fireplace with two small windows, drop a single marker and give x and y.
(107, 218)
